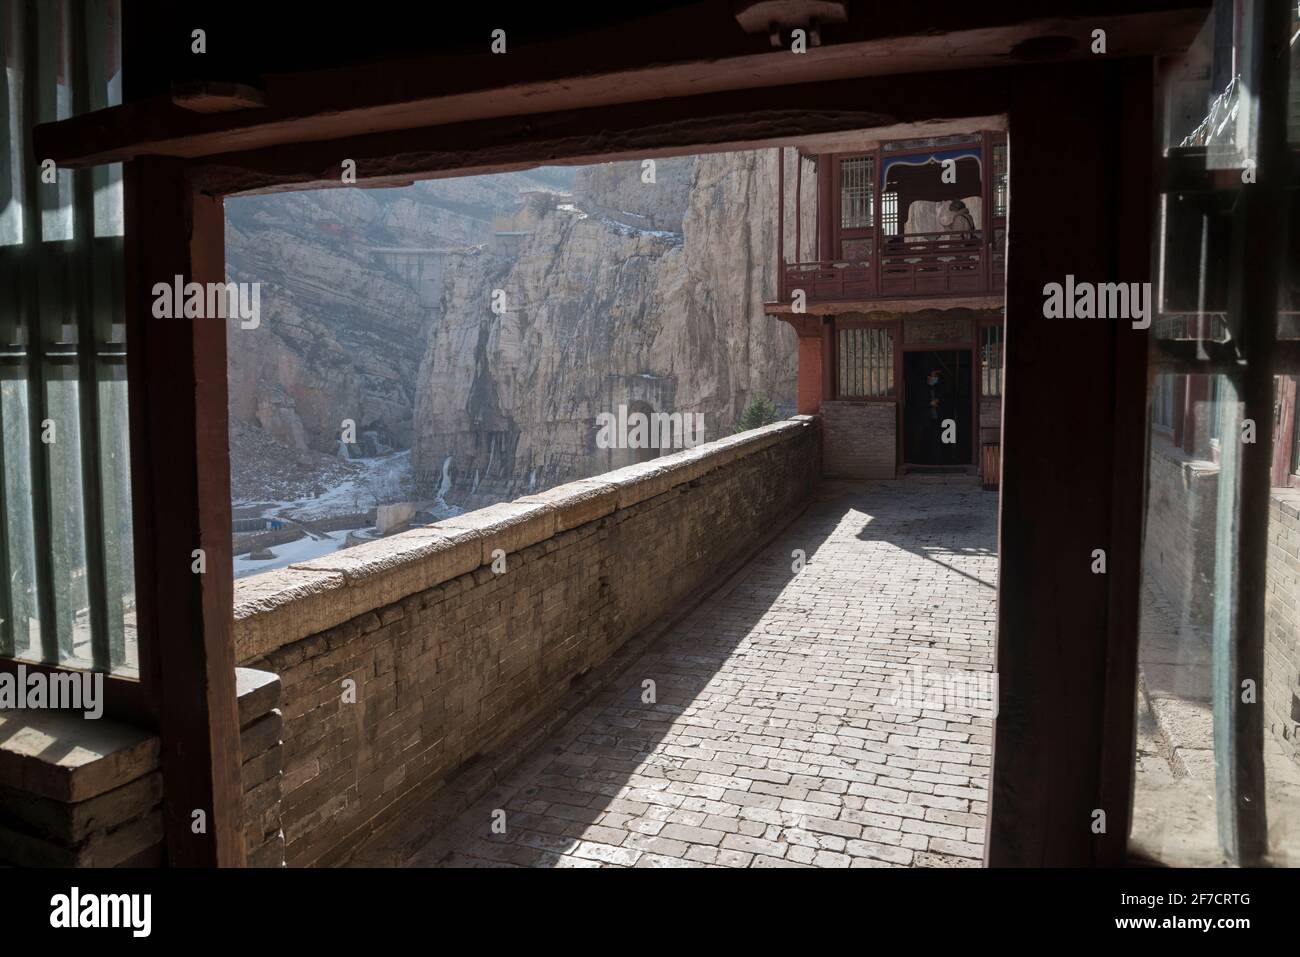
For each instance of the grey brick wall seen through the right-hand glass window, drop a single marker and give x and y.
(1180, 561)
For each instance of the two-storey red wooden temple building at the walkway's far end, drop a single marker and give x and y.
(898, 298)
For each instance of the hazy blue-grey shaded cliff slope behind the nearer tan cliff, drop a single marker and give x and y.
(343, 322)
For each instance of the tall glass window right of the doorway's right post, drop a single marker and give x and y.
(1219, 767)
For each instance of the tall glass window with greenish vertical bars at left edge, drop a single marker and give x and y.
(63, 391)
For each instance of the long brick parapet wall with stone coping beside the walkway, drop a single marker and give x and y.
(450, 660)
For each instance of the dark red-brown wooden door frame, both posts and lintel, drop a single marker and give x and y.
(1067, 644)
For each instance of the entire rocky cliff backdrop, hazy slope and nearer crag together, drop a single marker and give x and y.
(378, 308)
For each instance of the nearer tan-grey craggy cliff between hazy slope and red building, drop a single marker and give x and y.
(647, 296)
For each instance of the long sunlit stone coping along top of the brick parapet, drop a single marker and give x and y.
(279, 608)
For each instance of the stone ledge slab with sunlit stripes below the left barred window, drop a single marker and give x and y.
(68, 757)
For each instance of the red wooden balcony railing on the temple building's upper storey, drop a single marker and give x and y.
(917, 266)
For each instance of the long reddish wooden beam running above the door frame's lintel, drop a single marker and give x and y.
(671, 54)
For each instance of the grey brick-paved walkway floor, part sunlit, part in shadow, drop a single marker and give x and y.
(778, 738)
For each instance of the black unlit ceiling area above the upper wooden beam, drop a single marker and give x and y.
(249, 40)
